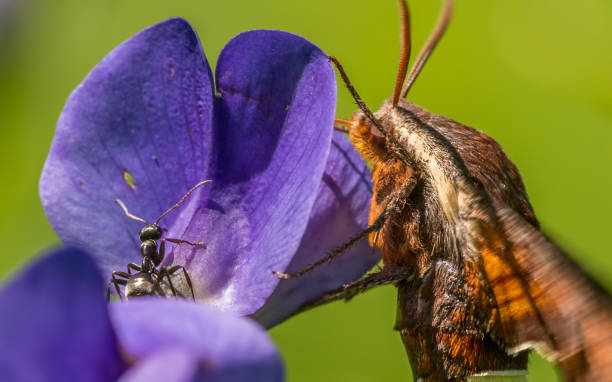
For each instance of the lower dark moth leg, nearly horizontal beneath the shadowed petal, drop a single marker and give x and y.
(370, 281)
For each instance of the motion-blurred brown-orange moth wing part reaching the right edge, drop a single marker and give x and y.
(576, 310)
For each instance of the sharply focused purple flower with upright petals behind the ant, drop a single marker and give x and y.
(147, 124)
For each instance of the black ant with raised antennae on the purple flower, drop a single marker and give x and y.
(148, 280)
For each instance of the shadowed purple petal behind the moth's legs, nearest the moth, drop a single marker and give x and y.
(340, 213)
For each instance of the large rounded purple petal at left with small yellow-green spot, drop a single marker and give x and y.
(137, 129)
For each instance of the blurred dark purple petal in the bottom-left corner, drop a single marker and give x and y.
(54, 324)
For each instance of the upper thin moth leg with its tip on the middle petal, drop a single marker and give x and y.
(396, 204)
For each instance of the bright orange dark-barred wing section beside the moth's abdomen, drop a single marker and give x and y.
(505, 298)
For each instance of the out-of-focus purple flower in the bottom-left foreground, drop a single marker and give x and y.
(55, 326)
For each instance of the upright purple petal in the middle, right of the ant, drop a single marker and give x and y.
(273, 126)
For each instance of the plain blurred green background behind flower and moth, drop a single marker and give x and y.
(535, 75)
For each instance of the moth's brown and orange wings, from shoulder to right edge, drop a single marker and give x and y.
(545, 300)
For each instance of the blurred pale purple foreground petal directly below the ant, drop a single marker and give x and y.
(222, 346)
